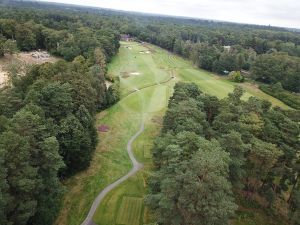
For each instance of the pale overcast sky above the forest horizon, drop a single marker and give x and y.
(284, 13)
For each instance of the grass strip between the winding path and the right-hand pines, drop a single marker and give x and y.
(136, 186)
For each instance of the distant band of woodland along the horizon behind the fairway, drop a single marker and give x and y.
(215, 46)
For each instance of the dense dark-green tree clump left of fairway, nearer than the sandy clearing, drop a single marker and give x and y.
(53, 116)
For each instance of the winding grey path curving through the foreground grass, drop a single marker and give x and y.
(136, 167)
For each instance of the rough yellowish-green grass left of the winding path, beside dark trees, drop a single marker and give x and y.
(110, 161)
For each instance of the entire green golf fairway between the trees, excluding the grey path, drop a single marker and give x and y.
(147, 77)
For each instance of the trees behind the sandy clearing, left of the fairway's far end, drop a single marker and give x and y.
(62, 35)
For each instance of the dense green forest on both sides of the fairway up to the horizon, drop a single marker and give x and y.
(222, 149)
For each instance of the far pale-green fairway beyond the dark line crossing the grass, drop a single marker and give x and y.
(159, 65)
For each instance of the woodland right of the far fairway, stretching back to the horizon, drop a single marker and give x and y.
(223, 48)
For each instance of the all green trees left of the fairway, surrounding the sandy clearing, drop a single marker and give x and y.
(47, 126)
